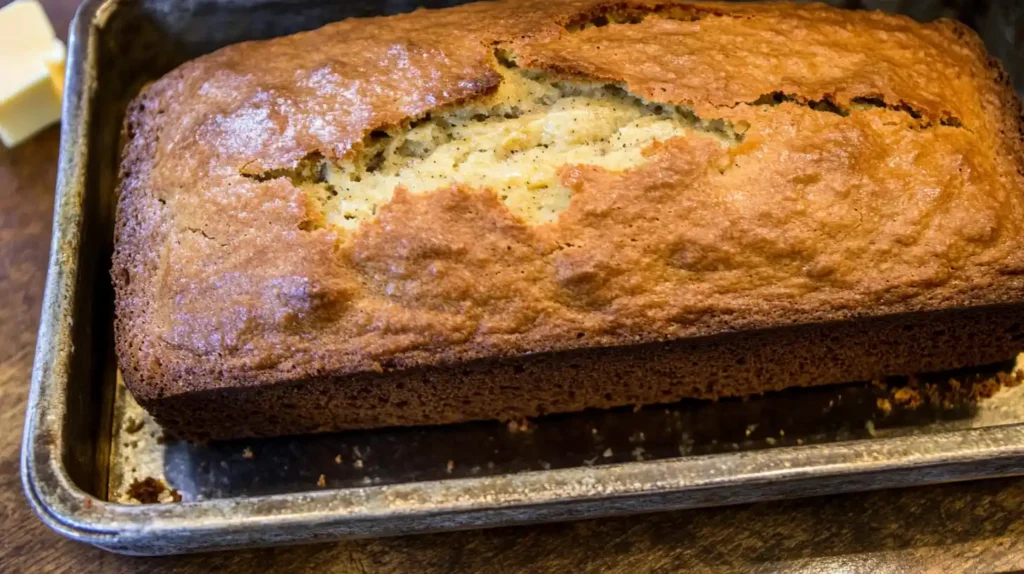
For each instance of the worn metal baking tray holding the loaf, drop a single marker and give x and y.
(87, 441)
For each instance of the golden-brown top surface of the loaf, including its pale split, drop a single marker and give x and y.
(283, 215)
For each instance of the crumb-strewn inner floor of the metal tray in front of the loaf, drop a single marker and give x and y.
(937, 404)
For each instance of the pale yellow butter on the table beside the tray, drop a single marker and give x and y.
(32, 63)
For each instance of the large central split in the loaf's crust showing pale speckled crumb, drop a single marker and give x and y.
(516, 142)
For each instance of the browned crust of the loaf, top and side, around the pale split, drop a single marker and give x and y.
(877, 190)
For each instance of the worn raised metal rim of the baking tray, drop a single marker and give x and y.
(431, 506)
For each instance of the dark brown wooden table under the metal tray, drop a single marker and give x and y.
(976, 527)
